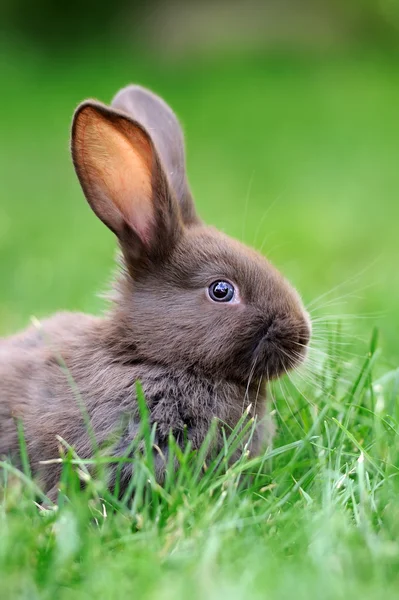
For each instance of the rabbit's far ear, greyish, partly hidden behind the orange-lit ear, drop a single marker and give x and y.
(161, 123)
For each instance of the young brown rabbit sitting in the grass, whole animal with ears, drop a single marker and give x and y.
(198, 318)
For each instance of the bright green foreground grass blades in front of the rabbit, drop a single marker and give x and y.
(316, 515)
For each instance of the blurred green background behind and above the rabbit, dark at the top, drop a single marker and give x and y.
(291, 118)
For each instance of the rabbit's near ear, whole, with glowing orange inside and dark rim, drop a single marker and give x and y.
(123, 180)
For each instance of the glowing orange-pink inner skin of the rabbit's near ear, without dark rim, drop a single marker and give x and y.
(117, 157)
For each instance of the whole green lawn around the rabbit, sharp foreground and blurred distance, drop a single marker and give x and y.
(298, 157)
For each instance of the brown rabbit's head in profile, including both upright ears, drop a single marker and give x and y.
(191, 297)
